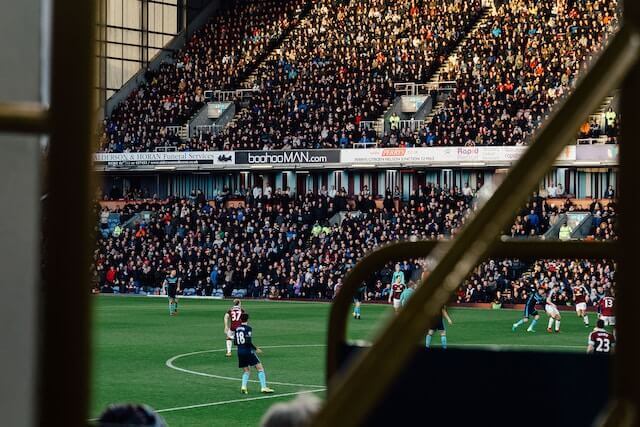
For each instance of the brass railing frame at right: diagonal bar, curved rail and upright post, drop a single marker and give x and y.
(354, 392)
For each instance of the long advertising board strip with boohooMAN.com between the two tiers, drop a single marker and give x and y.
(581, 155)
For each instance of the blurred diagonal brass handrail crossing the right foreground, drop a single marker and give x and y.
(455, 259)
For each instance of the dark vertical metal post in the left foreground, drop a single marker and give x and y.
(65, 321)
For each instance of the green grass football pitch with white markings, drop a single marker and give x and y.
(135, 340)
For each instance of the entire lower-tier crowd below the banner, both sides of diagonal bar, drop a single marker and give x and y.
(281, 245)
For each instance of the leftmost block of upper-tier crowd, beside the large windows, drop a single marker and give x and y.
(219, 56)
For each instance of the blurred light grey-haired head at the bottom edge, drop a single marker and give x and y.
(297, 413)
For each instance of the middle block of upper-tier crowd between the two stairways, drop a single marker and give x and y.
(338, 69)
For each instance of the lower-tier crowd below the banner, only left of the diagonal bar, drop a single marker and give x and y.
(276, 243)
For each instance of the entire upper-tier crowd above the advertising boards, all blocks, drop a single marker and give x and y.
(338, 66)
